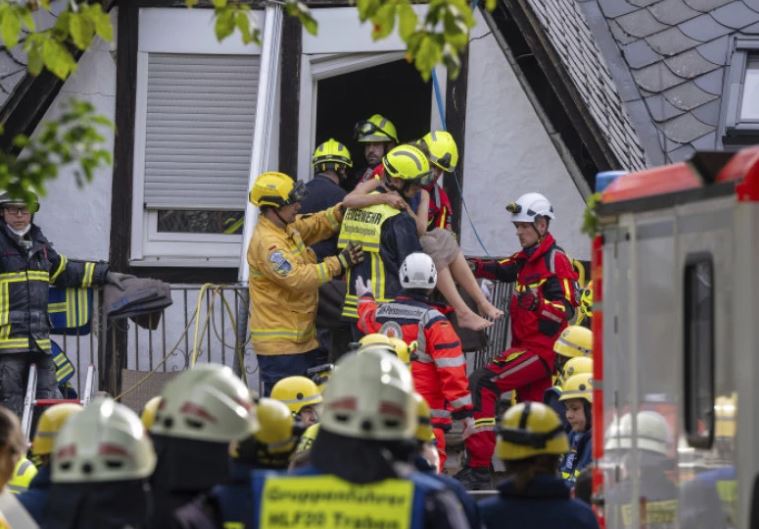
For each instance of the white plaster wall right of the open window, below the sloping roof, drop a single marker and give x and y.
(508, 153)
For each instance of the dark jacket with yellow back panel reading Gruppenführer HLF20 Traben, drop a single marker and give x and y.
(308, 498)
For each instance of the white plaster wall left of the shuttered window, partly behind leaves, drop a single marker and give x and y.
(77, 220)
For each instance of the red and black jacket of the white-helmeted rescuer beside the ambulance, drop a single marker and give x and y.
(548, 273)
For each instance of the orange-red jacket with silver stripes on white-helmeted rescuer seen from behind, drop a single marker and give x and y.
(439, 369)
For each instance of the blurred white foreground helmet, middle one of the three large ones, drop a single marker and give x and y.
(206, 403)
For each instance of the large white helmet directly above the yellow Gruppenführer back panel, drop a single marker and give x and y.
(370, 396)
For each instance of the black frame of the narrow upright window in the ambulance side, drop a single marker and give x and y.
(691, 376)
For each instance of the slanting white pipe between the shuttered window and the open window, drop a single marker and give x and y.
(265, 108)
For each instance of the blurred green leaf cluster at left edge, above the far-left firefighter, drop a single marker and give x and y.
(74, 138)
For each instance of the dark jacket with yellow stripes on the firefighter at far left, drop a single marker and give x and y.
(28, 267)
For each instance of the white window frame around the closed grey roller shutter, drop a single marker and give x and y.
(178, 31)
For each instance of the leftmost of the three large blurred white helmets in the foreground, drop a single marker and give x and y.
(104, 442)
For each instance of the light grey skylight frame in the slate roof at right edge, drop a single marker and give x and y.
(734, 127)
